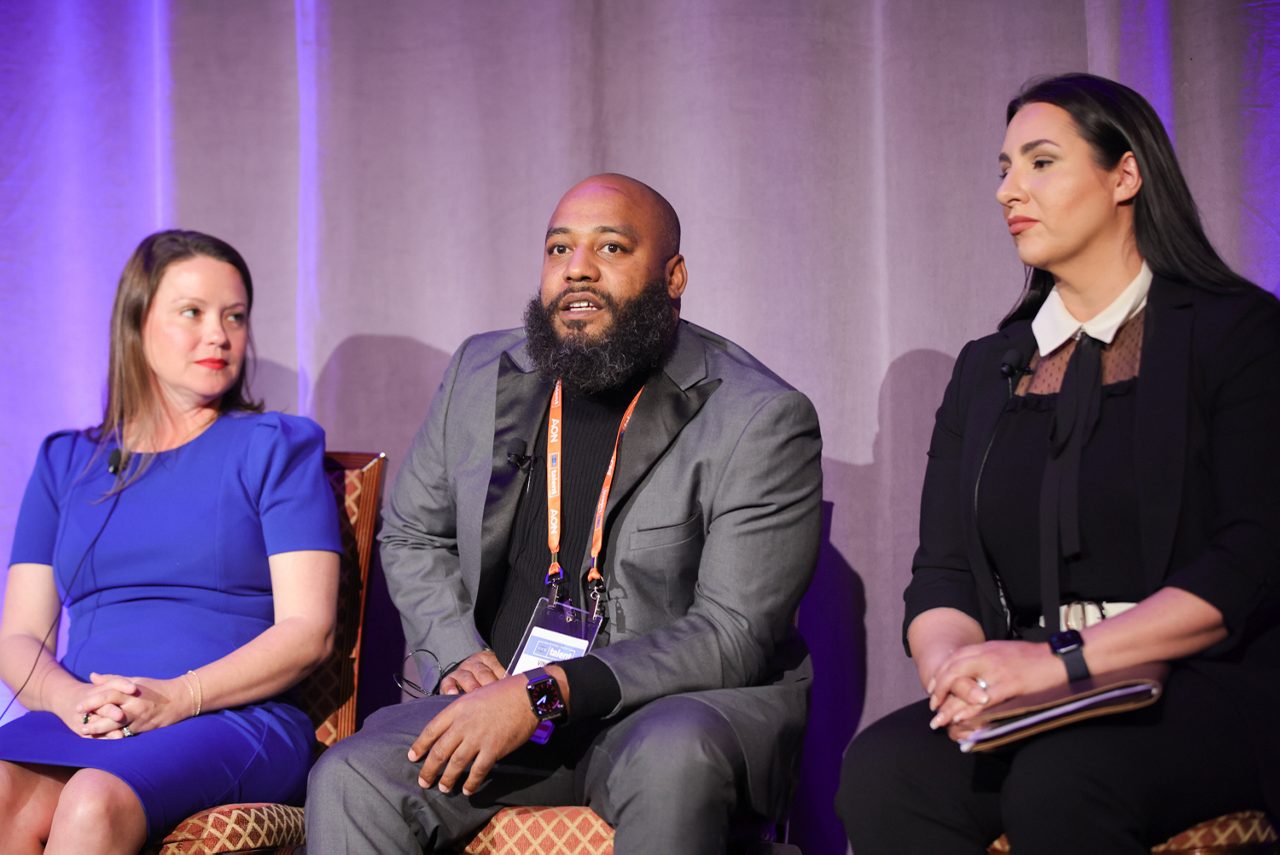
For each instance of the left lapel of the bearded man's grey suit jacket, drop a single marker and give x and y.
(520, 404)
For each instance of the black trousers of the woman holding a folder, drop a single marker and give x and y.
(1121, 784)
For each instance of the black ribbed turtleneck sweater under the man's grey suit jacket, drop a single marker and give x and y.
(589, 431)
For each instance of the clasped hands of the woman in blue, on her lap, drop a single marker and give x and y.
(113, 702)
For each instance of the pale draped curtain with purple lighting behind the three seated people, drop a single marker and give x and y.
(388, 171)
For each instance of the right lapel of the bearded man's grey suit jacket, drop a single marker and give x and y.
(670, 401)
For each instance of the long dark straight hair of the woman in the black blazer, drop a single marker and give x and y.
(1114, 120)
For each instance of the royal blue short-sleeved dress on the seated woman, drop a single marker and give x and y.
(172, 574)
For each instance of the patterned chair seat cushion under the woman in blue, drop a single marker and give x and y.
(232, 829)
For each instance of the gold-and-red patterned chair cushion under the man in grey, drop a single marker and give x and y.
(546, 831)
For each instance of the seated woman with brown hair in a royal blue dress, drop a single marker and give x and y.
(193, 541)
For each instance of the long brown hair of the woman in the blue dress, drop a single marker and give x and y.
(131, 392)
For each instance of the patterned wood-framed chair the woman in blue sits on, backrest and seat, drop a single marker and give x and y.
(328, 696)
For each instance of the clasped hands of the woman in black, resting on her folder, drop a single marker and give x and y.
(1007, 669)
